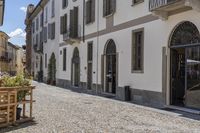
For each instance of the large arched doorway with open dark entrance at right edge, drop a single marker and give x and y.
(185, 66)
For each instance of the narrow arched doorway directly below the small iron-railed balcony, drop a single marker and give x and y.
(75, 68)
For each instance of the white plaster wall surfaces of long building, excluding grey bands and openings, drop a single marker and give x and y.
(156, 36)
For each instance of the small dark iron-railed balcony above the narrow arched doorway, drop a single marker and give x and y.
(72, 35)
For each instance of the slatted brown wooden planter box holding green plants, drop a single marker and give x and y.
(8, 105)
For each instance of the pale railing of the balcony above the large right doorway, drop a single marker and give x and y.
(154, 4)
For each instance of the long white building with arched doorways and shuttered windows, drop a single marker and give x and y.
(104, 45)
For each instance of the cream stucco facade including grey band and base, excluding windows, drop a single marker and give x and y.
(152, 85)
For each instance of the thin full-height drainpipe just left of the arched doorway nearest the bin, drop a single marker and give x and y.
(97, 72)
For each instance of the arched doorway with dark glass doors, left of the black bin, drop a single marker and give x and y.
(110, 67)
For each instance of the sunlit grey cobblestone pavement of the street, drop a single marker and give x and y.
(60, 110)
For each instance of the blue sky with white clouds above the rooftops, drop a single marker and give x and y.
(14, 19)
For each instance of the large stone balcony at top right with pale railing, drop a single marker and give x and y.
(164, 8)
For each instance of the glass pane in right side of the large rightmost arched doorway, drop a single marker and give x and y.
(193, 77)
